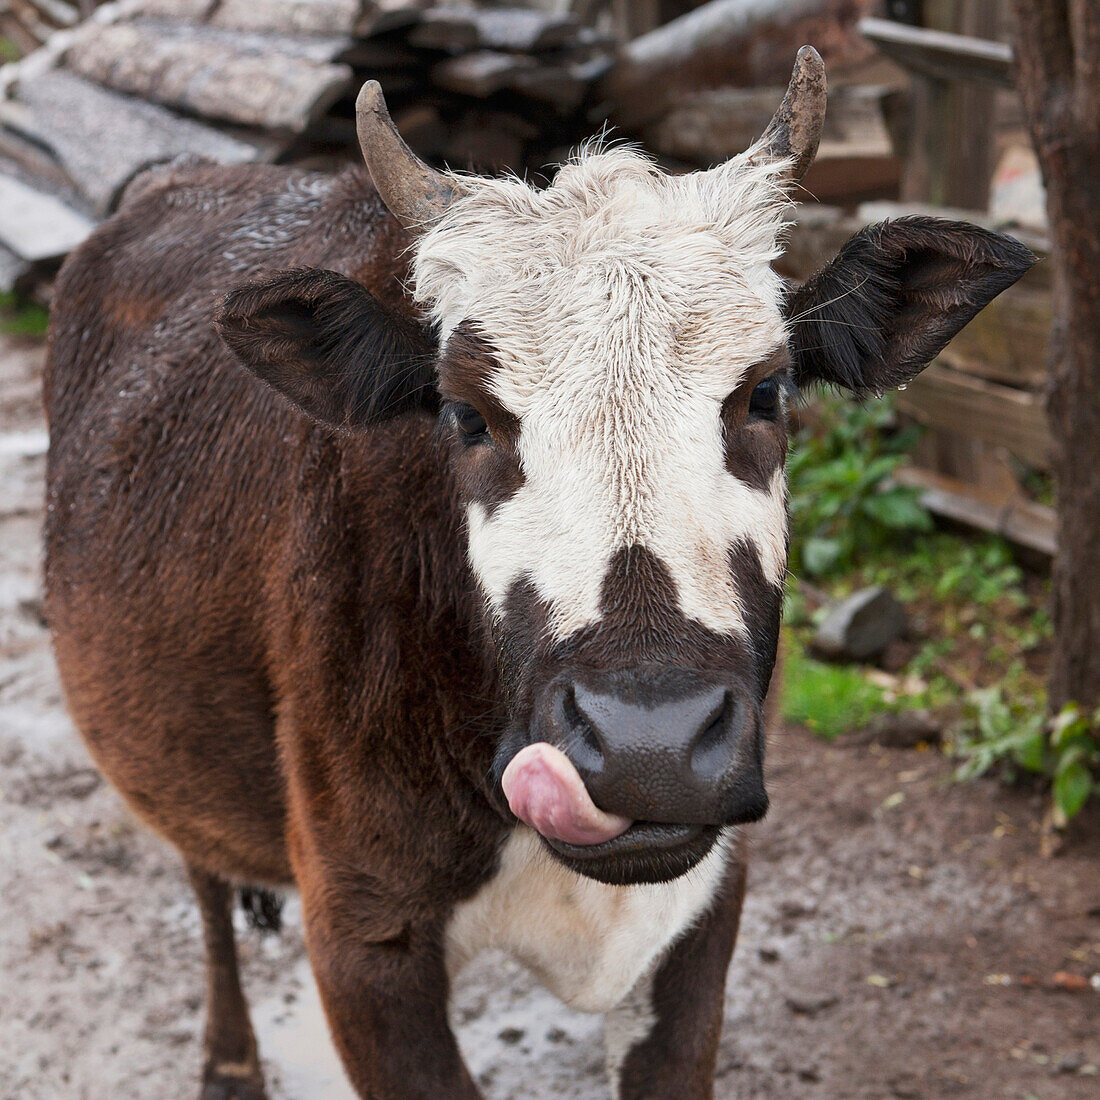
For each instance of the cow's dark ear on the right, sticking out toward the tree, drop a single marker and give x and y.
(893, 299)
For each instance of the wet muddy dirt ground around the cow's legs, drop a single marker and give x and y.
(903, 938)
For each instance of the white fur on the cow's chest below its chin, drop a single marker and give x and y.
(588, 943)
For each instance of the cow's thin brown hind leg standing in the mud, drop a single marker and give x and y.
(232, 1070)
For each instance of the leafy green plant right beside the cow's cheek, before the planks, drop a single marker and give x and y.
(843, 502)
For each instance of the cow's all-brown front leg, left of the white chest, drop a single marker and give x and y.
(384, 988)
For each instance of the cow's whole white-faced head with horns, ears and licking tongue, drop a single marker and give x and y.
(615, 359)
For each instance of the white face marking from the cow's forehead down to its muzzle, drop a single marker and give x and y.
(624, 306)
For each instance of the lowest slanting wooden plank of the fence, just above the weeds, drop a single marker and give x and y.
(1021, 521)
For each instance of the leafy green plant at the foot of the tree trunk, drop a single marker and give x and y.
(1021, 738)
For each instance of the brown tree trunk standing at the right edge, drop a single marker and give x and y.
(1059, 51)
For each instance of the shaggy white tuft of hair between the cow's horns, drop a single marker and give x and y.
(612, 207)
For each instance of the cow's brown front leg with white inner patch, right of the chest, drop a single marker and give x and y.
(663, 1041)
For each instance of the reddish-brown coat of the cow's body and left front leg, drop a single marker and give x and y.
(273, 674)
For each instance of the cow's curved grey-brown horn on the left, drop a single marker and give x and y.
(415, 194)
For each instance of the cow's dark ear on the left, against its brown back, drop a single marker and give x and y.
(331, 348)
